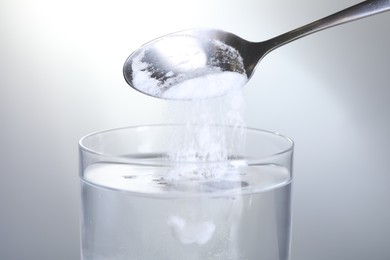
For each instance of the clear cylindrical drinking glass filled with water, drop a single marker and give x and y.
(132, 210)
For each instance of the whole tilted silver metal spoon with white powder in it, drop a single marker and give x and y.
(204, 63)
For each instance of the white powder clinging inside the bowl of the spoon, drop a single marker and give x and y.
(194, 75)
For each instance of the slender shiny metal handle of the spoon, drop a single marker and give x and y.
(358, 11)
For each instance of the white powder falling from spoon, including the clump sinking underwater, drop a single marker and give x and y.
(203, 143)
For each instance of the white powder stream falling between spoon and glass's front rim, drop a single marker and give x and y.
(205, 139)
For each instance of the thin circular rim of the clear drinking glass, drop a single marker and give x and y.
(136, 161)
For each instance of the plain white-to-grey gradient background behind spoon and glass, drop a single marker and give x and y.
(61, 78)
